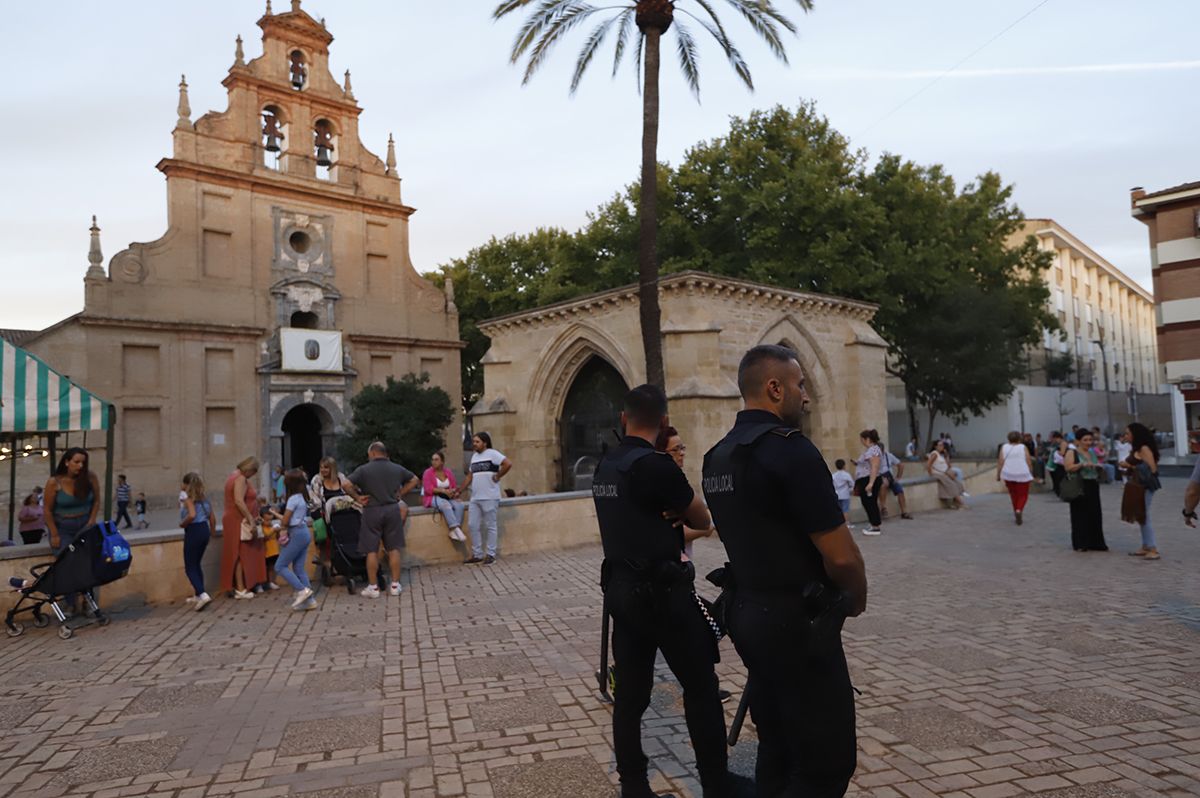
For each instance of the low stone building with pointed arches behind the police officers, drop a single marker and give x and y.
(555, 377)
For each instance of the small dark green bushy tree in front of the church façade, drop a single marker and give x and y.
(409, 416)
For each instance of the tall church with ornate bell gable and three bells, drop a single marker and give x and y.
(281, 287)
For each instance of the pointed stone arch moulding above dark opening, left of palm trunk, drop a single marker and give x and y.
(561, 362)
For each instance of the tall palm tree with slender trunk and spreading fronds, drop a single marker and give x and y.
(550, 21)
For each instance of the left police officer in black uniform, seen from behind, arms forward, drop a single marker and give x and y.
(641, 497)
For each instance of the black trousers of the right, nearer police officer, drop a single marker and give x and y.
(801, 699)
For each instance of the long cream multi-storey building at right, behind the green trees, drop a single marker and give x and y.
(1107, 319)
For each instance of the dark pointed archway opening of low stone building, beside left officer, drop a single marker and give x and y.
(591, 413)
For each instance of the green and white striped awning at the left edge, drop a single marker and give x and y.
(34, 398)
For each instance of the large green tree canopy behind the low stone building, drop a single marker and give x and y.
(784, 200)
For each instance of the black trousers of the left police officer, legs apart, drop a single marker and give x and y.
(649, 619)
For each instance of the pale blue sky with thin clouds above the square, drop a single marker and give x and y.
(1075, 104)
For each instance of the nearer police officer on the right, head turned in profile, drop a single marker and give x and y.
(796, 575)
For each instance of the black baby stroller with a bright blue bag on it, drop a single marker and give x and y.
(98, 556)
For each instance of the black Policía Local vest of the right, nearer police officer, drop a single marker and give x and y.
(766, 551)
